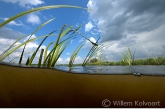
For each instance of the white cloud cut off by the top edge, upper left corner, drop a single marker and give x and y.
(24, 3)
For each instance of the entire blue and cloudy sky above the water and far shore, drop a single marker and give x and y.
(137, 24)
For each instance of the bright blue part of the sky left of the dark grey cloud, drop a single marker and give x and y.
(27, 24)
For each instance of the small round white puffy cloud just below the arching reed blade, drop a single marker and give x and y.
(33, 18)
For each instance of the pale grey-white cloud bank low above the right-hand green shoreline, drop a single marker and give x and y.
(147, 44)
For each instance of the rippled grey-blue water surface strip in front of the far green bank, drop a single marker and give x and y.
(136, 70)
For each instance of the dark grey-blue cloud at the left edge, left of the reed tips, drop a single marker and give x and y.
(9, 33)
